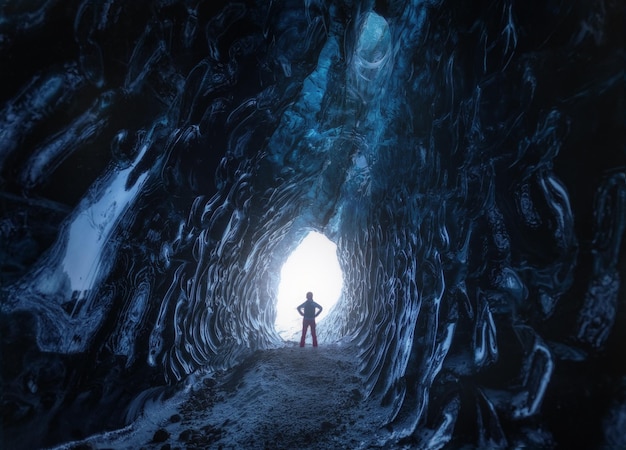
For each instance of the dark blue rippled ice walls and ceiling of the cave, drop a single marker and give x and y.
(160, 160)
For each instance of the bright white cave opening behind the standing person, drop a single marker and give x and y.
(313, 267)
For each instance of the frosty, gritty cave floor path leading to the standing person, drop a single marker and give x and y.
(285, 398)
